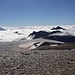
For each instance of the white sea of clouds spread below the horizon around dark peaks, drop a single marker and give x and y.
(20, 32)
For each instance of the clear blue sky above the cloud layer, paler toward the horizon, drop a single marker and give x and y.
(37, 12)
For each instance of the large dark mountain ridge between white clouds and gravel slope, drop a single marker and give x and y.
(48, 35)
